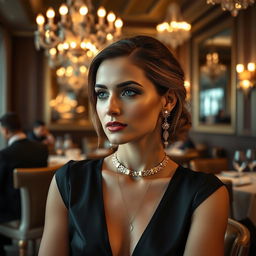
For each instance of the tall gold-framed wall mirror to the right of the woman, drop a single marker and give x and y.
(214, 80)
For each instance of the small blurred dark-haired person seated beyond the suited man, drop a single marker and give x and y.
(41, 133)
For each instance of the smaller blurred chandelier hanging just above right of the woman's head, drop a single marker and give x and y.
(173, 31)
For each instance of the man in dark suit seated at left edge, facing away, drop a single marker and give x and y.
(20, 153)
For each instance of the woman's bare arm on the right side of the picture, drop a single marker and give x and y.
(208, 226)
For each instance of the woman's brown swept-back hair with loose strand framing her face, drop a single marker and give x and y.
(159, 66)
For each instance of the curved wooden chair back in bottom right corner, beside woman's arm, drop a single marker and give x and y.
(237, 239)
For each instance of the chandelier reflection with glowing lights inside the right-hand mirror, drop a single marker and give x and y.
(213, 69)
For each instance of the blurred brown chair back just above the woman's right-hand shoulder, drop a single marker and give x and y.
(209, 165)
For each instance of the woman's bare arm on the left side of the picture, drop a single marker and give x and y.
(55, 237)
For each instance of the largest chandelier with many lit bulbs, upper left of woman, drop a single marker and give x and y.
(78, 36)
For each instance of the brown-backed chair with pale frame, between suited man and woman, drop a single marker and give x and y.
(33, 184)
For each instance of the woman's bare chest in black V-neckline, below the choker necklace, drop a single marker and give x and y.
(129, 209)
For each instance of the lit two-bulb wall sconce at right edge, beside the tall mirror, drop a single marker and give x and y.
(247, 77)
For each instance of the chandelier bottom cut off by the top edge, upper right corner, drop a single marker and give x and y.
(232, 5)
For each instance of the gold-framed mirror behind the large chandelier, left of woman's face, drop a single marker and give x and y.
(66, 108)
